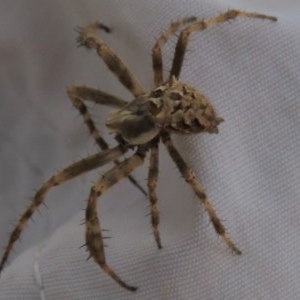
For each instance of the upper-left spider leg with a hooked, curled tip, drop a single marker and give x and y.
(88, 38)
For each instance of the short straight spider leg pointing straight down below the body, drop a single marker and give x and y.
(152, 183)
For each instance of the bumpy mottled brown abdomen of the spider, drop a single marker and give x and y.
(178, 107)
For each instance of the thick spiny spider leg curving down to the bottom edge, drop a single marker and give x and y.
(93, 236)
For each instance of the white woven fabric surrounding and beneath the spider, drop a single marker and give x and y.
(250, 170)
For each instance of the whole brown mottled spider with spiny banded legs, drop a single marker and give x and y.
(151, 117)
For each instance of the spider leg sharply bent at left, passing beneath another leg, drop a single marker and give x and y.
(79, 93)
